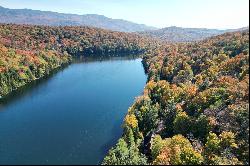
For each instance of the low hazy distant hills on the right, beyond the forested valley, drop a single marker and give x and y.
(178, 34)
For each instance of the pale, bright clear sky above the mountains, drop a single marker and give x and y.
(217, 14)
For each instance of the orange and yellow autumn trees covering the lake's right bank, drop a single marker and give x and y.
(195, 106)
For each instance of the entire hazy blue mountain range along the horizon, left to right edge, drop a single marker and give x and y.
(50, 18)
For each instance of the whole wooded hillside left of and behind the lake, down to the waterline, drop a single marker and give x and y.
(29, 52)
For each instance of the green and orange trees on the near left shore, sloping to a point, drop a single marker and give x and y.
(18, 67)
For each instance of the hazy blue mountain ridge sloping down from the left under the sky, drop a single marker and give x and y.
(37, 17)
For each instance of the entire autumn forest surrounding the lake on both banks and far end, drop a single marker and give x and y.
(194, 109)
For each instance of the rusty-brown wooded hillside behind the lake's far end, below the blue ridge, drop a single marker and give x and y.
(73, 40)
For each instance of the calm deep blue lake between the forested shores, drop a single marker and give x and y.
(74, 116)
